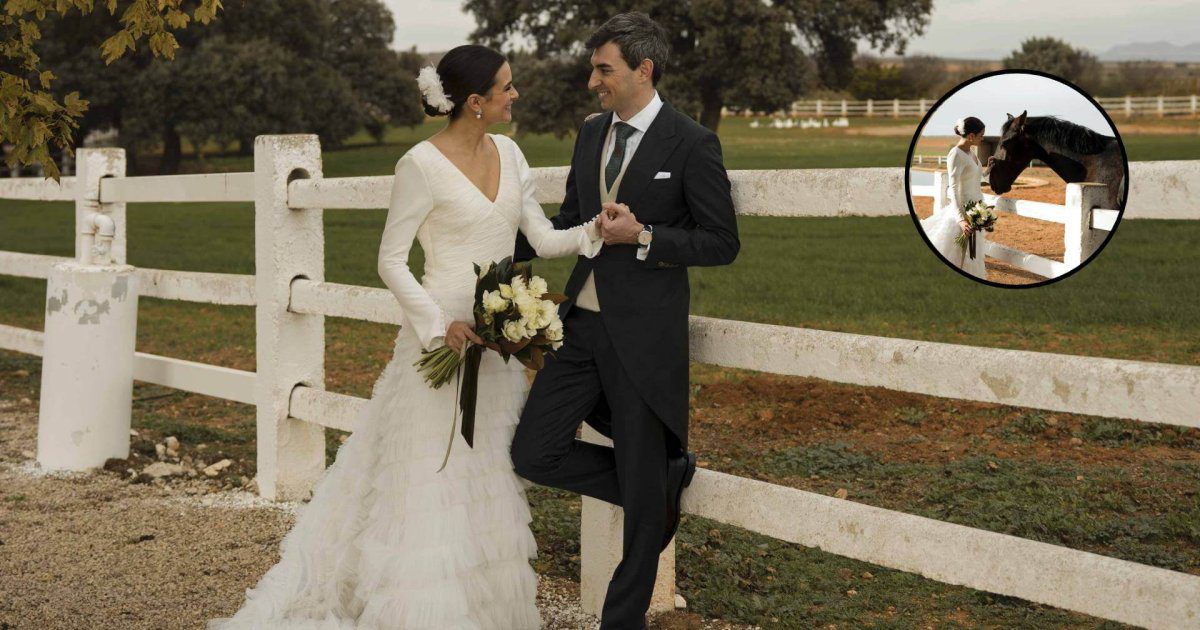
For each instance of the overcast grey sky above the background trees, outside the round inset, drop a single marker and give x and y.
(986, 29)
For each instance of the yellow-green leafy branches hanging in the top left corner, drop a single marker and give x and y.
(33, 119)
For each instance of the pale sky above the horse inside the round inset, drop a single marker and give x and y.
(992, 99)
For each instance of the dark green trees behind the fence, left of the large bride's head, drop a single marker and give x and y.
(268, 67)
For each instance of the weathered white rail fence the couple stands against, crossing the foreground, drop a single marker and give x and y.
(292, 301)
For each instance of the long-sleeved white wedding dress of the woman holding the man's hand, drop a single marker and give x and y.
(387, 542)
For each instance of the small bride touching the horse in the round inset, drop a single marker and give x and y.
(949, 221)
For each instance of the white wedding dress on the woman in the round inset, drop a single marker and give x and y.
(943, 226)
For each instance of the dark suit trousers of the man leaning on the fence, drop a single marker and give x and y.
(586, 375)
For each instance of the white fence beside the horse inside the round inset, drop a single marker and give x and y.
(1085, 225)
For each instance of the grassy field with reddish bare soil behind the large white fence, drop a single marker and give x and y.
(1123, 490)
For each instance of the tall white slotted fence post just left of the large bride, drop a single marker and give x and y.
(290, 347)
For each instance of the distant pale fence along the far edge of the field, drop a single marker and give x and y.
(1117, 106)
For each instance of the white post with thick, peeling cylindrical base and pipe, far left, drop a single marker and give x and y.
(91, 333)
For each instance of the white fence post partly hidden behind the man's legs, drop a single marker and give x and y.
(601, 547)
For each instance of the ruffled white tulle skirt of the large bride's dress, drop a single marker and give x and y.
(388, 543)
